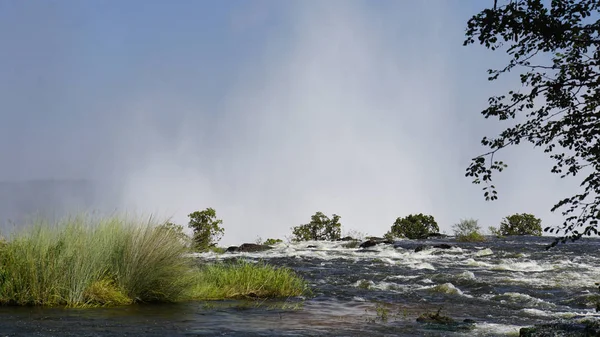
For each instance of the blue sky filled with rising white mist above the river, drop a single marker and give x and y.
(265, 110)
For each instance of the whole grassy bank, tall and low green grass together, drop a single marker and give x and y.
(85, 262)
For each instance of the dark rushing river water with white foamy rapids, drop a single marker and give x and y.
(502, 285)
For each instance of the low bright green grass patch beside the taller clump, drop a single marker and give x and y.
(241, 279)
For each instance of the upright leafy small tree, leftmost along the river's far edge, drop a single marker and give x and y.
(207, 229)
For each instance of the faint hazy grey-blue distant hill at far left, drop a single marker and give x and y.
(48, 198)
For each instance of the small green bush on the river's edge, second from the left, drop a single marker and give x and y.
(320, 227)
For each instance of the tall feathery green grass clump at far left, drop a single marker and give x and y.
(82, 261)
